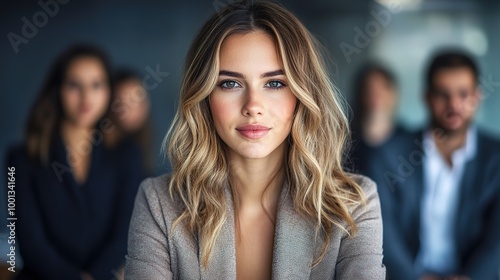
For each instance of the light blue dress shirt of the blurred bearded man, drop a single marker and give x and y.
(439, 204)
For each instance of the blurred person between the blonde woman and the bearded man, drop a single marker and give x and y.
(374, 128)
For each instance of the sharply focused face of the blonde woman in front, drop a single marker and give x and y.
(252, 105)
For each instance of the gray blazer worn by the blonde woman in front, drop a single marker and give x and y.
(155, 254)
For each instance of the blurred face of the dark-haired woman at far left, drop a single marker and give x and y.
(85, 92)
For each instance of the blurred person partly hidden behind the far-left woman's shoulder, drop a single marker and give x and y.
(130, 112)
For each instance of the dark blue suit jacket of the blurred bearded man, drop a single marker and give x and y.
(397, 170)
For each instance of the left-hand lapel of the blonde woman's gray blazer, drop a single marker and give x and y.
(222, 263)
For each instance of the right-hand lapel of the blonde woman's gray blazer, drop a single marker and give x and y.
(294, 241)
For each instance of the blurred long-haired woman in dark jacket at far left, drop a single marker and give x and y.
(75, 196)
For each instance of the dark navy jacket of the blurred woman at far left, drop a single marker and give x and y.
(64, 228)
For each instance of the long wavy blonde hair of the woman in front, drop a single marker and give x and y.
(319, 187)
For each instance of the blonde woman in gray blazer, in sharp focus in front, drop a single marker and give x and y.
(257, 189)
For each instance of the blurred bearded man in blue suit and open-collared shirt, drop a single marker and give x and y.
(440, 190)
